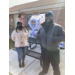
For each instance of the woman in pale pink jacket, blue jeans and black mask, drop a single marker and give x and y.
(20, 37)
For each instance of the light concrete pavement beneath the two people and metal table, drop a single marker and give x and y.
(32, 65)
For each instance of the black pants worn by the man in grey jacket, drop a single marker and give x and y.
(52, 57)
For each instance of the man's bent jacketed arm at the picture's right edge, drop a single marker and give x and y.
(61, 36)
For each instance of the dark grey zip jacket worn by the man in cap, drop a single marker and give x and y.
(52, 36)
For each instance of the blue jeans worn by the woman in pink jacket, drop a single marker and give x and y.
(21, 53)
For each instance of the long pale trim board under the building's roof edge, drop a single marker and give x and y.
(39, 8)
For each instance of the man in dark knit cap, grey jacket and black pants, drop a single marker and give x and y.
(50, 37)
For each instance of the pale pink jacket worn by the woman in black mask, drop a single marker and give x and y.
(19, 37)
